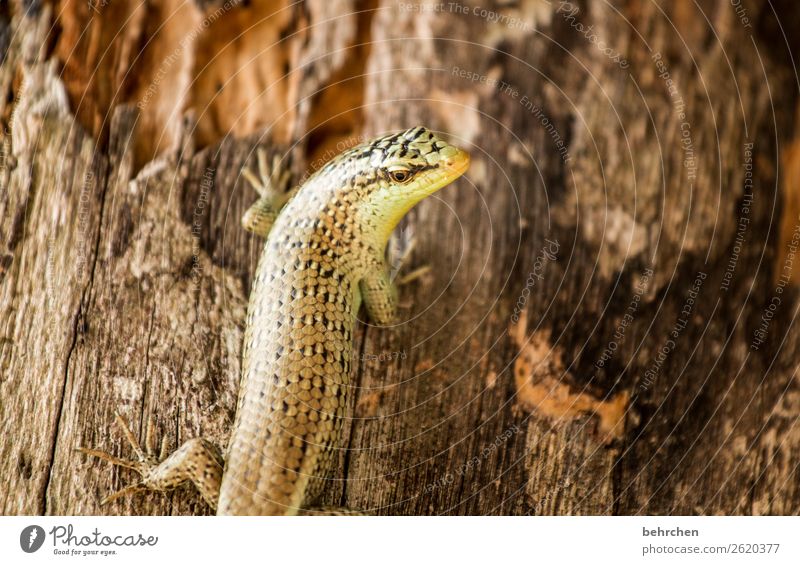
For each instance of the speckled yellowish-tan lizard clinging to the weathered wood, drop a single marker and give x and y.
(325, 254)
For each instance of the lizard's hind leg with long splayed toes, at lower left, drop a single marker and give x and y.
(197, 460)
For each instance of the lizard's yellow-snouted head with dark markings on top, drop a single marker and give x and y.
(400, 169)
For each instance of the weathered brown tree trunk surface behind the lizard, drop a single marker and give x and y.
(609, 323)
